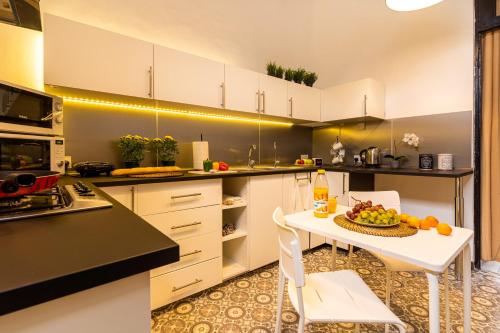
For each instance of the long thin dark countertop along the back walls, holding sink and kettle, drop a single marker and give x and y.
(117, 181)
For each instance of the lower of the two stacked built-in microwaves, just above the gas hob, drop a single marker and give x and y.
(20, 152)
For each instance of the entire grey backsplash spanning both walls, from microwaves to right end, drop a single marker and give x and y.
(91, 134)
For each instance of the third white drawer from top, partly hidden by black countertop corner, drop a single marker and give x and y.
(194, 250)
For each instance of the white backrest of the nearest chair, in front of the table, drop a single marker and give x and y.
(290, 250)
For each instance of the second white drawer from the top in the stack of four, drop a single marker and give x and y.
(187, 223)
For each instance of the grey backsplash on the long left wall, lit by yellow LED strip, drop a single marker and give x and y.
(91, 133)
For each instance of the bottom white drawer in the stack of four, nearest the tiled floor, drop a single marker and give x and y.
(173, 286)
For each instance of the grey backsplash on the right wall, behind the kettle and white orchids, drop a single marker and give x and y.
(439, 133)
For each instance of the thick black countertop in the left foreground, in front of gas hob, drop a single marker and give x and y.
(49, 257)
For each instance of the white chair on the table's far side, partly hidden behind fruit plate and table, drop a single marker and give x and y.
(390, 199)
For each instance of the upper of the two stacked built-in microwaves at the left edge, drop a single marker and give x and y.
(23, 110)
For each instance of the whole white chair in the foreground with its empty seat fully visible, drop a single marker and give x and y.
(340, 296)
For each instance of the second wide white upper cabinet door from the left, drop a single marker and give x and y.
(185, 78)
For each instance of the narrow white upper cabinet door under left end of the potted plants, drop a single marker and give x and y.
(273, 96)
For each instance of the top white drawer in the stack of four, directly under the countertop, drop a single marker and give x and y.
(167, 197)
